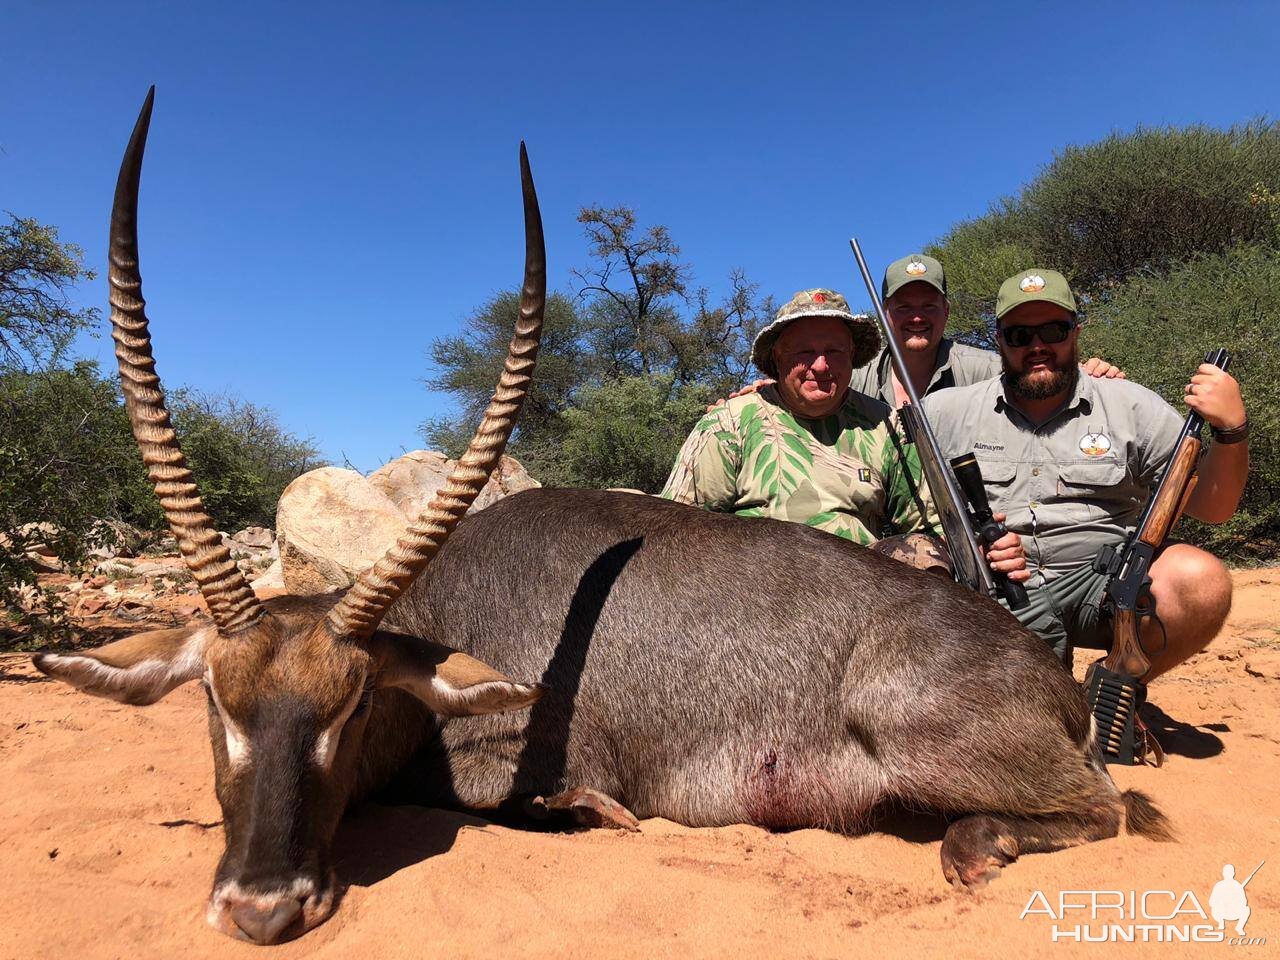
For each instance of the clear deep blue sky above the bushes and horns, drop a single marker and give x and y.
(328, 188)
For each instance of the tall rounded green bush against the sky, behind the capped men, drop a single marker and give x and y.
(1130, 205)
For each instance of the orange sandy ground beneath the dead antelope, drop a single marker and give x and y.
(109, 835)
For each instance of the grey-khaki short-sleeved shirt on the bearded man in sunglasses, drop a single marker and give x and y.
(1076, 482)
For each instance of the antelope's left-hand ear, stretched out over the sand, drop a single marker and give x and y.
(139, 670)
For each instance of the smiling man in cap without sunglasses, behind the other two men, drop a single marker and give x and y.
(915, 292)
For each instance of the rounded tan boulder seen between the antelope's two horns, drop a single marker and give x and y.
(332, 524)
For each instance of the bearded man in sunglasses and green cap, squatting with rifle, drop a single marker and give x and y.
(1072, 461)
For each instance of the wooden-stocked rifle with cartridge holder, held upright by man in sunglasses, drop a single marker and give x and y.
(1114, 684)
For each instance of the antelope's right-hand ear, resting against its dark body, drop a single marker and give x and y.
(449, 682)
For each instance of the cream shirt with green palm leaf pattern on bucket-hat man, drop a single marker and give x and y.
(848, 474)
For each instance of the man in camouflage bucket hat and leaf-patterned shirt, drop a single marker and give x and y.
(808, 449)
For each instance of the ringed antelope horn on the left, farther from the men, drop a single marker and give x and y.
(230, 597)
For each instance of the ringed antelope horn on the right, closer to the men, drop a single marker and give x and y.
(360, 611)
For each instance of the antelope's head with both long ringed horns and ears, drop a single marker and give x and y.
(290, 682)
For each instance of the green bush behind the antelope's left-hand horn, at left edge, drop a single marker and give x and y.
(68, 461)
